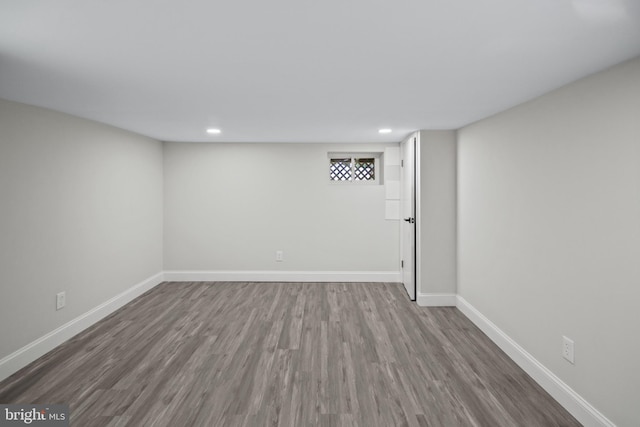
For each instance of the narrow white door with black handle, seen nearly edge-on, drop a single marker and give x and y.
(408, 212)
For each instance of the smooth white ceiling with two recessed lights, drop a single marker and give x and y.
(302, 70)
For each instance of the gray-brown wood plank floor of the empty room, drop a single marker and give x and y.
(284, 354)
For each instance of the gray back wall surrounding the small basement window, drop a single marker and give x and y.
(231, 206)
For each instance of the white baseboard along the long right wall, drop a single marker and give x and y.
(565, 395)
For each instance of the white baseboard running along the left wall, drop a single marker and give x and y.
(38, 348)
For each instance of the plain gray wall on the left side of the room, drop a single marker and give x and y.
(81, 212)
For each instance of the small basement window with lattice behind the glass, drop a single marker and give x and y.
(355, 168)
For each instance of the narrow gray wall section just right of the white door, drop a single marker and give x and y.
(437, 212)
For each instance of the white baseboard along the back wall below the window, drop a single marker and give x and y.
(282, 276)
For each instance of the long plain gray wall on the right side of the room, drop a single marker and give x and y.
(549, 231)
